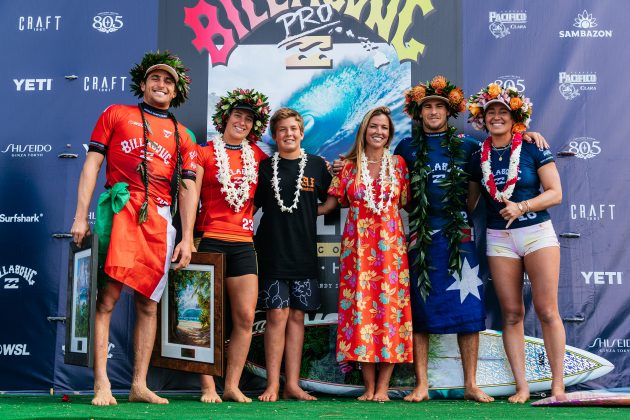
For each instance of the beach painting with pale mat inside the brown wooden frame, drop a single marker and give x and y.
(187, 321)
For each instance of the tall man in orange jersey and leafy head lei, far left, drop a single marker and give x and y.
(145, 148)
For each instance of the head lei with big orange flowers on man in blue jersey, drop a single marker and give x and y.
(438, 88)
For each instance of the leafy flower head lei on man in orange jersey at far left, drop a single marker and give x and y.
(139, 73)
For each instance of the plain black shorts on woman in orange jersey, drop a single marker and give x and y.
(240, 257)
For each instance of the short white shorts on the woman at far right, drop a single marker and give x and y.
(516, 243)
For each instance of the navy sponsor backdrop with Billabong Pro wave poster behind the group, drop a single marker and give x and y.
(332, 61)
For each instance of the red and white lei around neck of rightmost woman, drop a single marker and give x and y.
(512, 177)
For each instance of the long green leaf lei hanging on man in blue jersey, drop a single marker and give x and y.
(455, 187)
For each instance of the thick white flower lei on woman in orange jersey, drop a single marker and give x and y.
(235, 196)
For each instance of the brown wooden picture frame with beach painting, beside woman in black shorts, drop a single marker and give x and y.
(190, 331)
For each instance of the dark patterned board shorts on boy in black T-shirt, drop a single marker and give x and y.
(295, 294)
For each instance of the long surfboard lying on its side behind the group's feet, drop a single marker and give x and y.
(321, 373)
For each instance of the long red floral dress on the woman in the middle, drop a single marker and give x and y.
(374, 314)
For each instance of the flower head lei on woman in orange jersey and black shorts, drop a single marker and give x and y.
(248, 98)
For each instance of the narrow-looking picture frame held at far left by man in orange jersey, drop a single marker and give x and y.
(81, 307)
